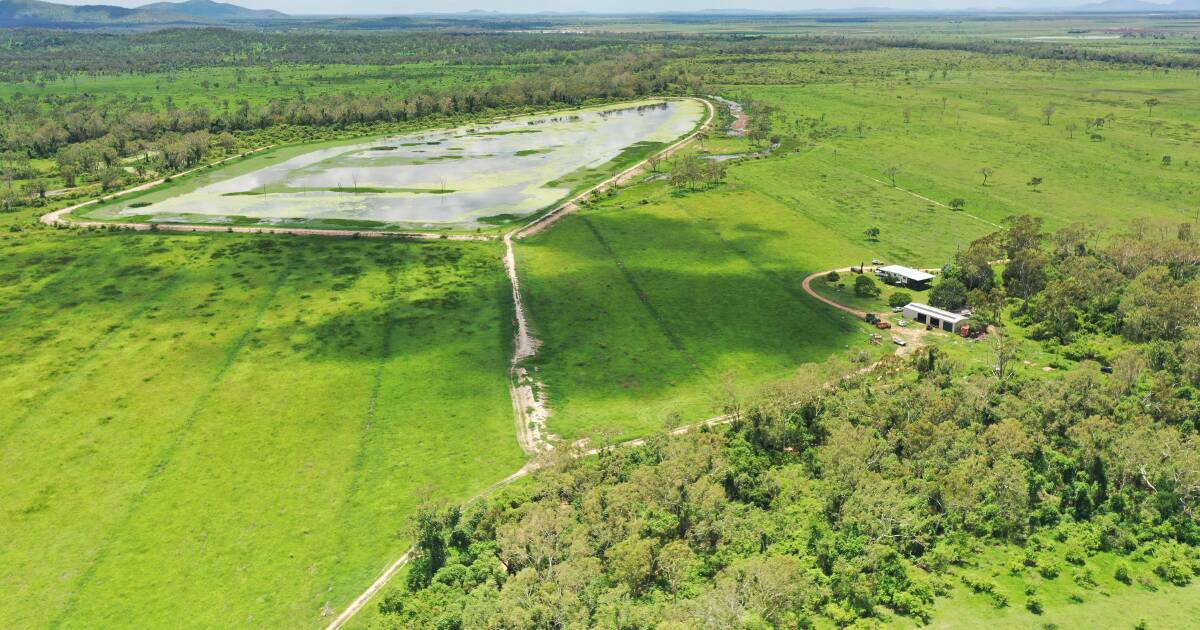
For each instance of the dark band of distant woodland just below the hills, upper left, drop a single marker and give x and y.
(28, 56)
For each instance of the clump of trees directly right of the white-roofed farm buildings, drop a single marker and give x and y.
(1076, 289)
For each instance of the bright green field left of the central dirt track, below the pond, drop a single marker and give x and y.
(225, 430)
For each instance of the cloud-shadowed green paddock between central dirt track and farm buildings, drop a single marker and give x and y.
(647, 313)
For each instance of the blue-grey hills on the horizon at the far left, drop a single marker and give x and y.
(35, 14)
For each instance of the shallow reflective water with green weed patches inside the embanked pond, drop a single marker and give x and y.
(454, 177)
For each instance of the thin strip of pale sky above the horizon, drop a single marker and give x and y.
(596, 7)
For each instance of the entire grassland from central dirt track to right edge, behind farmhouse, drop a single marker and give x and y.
(655, 304)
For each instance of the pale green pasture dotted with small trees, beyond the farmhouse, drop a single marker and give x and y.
(958, 127)
